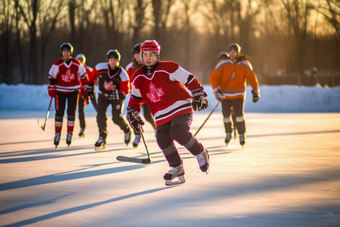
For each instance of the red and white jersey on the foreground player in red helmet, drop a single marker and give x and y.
(165, 91)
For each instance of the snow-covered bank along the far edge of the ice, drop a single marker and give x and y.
(274, 99)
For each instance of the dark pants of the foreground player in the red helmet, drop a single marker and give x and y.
(177, 129)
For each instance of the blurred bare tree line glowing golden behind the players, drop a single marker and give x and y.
(280, 36)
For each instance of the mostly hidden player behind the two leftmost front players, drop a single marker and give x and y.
(82, 99)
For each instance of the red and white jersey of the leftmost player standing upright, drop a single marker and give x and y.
(67, 77)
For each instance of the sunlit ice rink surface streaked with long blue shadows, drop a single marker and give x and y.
(288, 174)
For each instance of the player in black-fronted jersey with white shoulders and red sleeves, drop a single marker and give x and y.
(114, 85)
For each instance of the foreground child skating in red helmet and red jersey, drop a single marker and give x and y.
(163, 86)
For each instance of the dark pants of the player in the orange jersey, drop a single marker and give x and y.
(235, 105)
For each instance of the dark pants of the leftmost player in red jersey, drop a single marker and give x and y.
(60, 104)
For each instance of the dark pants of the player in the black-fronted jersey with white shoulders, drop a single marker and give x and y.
(117, 107)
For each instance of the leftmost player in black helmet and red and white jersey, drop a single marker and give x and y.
(65, 75)
